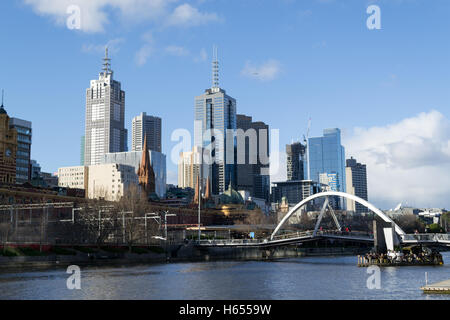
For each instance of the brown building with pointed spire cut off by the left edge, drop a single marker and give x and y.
(8, 148)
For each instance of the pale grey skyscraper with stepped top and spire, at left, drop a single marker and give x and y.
(105, 117)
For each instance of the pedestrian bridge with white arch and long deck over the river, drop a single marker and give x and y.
(299, 237)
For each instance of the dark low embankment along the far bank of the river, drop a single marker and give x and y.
(174, 253)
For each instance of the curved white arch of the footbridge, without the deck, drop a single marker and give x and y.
(363, 202)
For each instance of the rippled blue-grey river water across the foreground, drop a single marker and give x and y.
(300, 278)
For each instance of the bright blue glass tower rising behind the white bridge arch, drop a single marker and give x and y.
(327, 155)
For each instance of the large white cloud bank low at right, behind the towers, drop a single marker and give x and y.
(408, 161)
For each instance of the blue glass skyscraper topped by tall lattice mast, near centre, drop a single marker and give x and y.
(215, 113)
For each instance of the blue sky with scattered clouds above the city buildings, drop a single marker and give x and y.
(313, 58)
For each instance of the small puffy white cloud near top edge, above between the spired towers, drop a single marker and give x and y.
(186, 15)
